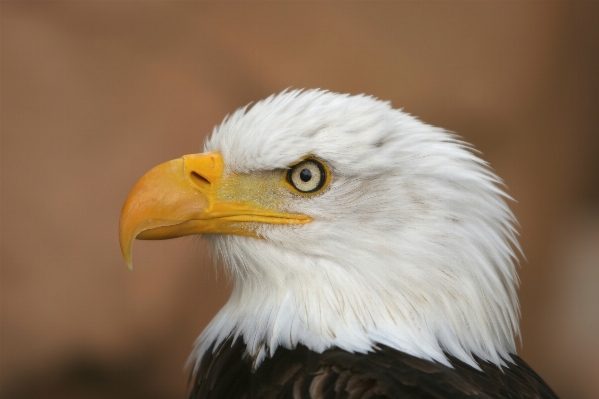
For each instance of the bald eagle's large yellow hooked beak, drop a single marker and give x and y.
(184, 197)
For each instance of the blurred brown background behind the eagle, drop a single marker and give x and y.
(93, 94)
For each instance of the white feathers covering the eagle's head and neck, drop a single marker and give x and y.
(412, 244)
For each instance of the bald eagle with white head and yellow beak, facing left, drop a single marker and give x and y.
(372, 255)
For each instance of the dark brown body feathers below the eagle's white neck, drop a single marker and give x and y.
(334, 374)
